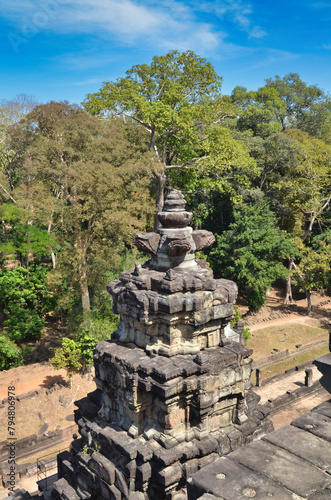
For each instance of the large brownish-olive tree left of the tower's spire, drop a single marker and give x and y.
(88, 181)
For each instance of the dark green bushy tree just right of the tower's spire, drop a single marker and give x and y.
(251, 252)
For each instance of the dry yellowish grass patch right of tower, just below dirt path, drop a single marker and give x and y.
(283, 337)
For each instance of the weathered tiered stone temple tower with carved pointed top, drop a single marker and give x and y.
(173, 391)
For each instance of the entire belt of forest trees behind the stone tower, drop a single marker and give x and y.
(76, 185)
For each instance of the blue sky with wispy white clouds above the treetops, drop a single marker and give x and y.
(64, 49)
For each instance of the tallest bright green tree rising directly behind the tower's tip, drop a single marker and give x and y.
(177, 100)
